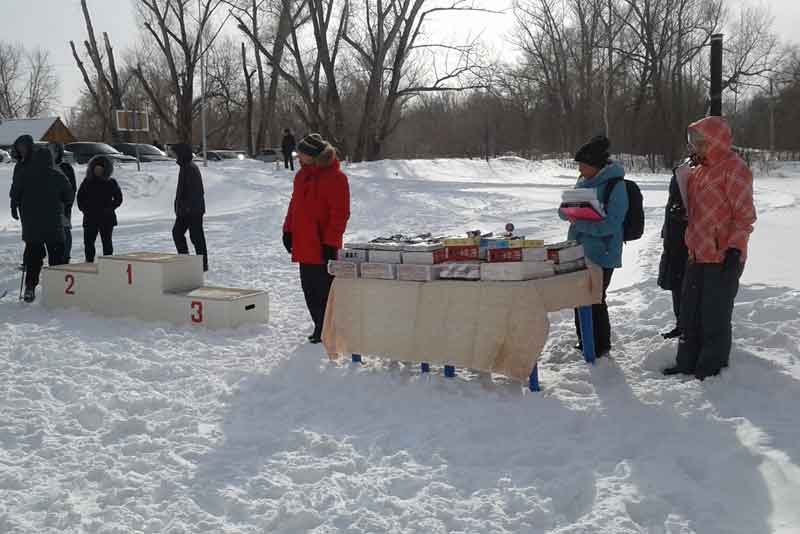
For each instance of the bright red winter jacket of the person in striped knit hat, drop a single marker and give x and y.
(318, 211)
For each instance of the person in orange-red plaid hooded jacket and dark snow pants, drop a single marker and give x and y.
(721, 215)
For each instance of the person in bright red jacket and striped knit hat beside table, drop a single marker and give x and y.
(316, 221)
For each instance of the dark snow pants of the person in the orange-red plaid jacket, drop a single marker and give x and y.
(706, 312)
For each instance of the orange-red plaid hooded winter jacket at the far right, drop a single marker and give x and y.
(720, 197)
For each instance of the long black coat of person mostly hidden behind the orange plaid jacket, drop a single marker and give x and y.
(675, 253)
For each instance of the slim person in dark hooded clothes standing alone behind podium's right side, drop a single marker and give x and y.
(190, 205)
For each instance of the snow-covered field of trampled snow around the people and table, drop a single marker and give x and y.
(121, 426)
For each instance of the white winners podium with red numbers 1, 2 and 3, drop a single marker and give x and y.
(152, 287)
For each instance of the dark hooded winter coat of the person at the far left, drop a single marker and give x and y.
(40, 196)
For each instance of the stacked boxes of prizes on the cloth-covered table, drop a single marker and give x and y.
(474, 257)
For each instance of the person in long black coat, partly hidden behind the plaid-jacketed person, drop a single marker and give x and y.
(675, 253)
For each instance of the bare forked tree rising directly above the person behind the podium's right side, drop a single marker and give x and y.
(179, 36)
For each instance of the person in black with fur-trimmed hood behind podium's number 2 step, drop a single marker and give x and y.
(98, 198)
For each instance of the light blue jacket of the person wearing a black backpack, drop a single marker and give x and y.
(602, 240)
